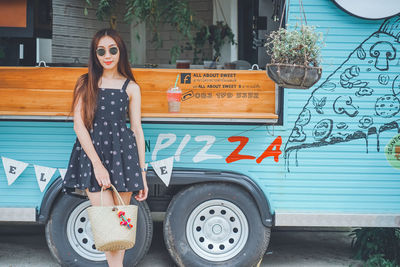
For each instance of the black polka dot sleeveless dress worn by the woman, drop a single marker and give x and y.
(115, 144)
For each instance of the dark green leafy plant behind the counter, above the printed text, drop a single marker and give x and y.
(216, 35)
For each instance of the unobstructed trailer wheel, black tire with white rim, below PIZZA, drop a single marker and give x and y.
(215, 224)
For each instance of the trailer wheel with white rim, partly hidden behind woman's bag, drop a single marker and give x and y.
(69, 236)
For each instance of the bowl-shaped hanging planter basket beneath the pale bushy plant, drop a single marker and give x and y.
(294, 76)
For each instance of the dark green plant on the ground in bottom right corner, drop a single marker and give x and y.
(370, 242)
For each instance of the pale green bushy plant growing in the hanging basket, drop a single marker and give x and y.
(300, 45)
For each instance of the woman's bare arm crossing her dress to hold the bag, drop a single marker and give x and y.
(101, 173)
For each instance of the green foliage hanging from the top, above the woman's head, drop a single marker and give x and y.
(154, 13)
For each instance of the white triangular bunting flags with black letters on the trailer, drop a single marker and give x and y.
(14, 168)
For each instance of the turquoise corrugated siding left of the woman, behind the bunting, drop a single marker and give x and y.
(39, 143)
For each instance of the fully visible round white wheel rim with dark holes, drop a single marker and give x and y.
(217, 230)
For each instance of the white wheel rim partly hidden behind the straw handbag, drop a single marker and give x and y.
(80, 235)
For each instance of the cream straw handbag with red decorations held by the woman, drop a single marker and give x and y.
(113, 227)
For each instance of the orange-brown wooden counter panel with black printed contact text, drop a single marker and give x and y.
(213, 94)
